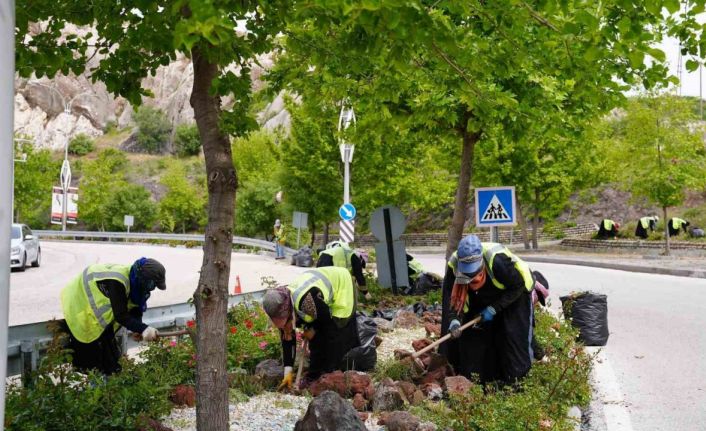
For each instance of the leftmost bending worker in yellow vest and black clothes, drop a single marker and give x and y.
(100, 300)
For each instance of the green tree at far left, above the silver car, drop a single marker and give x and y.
(34, 179)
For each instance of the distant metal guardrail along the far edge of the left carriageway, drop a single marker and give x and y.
(108, 236)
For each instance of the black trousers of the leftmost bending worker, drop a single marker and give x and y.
(102, 354)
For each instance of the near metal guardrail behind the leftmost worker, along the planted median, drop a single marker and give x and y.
(27, 343)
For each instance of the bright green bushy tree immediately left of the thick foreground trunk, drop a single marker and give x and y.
(183, 205)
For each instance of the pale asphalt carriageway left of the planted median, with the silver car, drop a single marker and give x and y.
(35, 293)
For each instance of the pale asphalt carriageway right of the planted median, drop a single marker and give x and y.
(656, 350)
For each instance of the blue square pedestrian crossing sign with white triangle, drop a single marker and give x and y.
(495, 206)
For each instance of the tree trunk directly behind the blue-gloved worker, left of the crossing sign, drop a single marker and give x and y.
(462, 203)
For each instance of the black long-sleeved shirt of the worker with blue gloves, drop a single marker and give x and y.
(505, 272)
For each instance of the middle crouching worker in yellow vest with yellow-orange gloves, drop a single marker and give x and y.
(322, 303)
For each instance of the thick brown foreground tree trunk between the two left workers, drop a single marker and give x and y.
(211, 295)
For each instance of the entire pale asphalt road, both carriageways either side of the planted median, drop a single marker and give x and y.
(651, 375)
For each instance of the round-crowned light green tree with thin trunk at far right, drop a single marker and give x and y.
(660, 145)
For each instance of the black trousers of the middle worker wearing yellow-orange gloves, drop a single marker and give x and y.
(330, 343)
